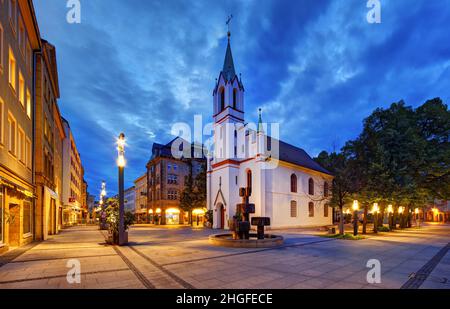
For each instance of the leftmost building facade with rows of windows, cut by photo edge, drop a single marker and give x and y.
(19, 39)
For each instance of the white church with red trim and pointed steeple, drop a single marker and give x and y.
(288, 186)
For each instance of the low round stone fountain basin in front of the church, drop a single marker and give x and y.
(226, 240)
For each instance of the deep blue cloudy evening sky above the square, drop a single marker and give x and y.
(317, 67)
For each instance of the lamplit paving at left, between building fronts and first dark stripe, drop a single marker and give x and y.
(44, 266)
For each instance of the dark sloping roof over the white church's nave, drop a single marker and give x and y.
(294, 155)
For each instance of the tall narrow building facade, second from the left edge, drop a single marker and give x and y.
(46, 96)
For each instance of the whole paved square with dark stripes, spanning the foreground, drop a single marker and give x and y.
(181, 258)
